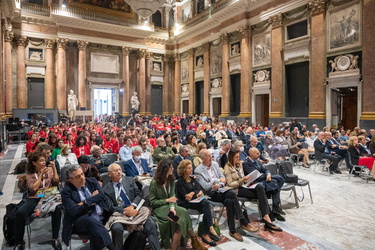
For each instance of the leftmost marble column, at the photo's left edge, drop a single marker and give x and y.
(8, 40)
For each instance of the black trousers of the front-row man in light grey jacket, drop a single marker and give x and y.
(230, 200)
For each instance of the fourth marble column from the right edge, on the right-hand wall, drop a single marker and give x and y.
(245, 103)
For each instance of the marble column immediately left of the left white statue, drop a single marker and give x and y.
(61, 93)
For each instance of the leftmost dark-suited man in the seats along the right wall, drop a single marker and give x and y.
(321, 153)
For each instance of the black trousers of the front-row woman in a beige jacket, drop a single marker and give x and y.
(257, 193)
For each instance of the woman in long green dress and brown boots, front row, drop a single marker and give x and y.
(162, 201)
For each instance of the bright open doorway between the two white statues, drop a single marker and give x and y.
(105, 101)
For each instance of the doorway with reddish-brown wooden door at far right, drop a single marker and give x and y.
(344, 108)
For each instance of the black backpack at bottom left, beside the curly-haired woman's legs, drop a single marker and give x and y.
(8, 223)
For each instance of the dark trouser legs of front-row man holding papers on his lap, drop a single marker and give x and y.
(149, 228)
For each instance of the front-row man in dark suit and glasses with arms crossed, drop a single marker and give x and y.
(85, 209)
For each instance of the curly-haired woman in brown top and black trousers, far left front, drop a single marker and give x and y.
(39, 177)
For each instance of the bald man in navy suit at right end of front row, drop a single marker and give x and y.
(272, 184)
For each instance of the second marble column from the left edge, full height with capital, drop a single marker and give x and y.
(21, 73)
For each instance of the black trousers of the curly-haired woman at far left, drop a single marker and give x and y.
(25, 211)
